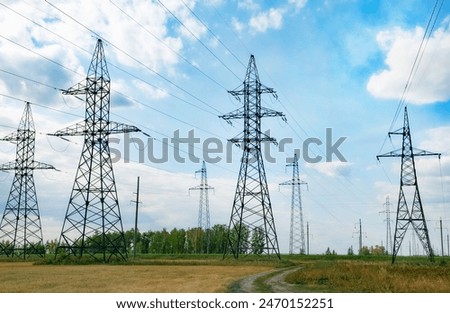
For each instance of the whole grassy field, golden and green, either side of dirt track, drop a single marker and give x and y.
(209, 273)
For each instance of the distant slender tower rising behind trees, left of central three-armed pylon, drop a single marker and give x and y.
(203, 205)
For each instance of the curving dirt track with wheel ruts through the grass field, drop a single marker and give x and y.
(273, 280)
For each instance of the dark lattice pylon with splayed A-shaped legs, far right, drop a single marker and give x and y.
(408, 183)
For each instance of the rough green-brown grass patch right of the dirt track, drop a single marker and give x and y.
(359, 276)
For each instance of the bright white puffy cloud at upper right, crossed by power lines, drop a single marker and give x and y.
(430, 83)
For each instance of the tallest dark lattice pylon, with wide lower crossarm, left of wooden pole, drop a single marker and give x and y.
(93, 223)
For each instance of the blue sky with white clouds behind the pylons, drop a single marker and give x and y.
(341, 65)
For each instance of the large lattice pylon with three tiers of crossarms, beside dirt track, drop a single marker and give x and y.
(252, 226)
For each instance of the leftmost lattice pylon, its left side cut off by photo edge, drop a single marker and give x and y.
(20, 227)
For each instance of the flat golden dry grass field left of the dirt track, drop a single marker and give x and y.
(26, 277)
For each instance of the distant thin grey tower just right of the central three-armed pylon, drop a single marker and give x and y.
(297, 231)
